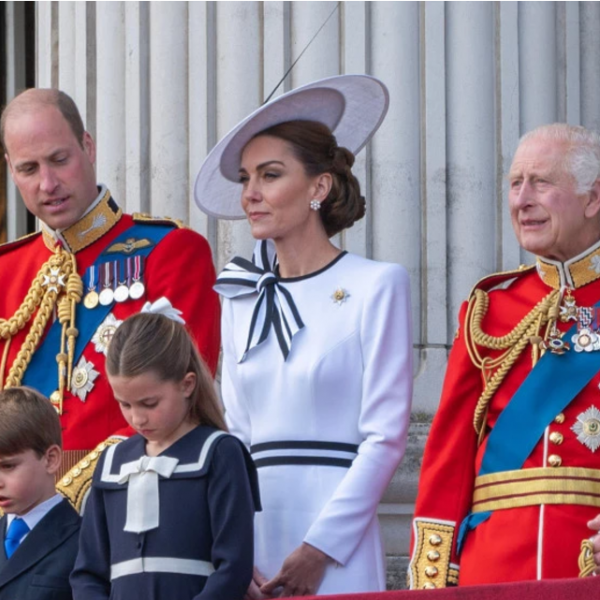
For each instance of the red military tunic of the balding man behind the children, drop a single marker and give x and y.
(179, 268)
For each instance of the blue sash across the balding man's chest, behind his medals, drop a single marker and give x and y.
(41, 371)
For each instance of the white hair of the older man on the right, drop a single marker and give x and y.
(582, 160)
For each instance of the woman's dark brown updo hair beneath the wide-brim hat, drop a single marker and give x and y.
(316, 148)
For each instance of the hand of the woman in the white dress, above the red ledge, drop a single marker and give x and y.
(301, 573)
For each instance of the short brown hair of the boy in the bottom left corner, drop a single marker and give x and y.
(28, 421)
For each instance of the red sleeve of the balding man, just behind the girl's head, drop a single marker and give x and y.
(181, 269)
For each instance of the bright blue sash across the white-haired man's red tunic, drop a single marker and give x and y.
(535, 404)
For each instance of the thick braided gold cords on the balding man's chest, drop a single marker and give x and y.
(57, 285)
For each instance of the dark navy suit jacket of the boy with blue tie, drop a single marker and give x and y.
(39, 568)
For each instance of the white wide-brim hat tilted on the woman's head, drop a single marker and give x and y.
(352, 106)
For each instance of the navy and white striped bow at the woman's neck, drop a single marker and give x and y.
(274, 307)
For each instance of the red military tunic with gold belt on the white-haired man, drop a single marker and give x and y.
(518, 542)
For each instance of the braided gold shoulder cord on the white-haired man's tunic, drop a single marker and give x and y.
(527, 331)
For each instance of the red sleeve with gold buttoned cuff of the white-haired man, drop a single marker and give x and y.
(448, 469)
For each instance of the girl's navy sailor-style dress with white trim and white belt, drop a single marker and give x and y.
(205, 511)
